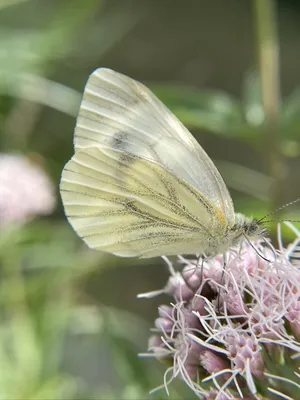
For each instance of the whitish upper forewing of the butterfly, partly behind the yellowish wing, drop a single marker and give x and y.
(121, 113)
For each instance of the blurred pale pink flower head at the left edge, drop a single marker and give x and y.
(25, 190)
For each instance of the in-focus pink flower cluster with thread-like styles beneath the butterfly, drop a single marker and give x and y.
(233, 328)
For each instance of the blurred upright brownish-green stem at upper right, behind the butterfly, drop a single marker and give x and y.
(268, 54)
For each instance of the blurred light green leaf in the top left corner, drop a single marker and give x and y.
(33, 51)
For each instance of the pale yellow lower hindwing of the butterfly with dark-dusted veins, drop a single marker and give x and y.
(131, 206)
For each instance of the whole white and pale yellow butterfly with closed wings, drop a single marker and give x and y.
(139, 184)
